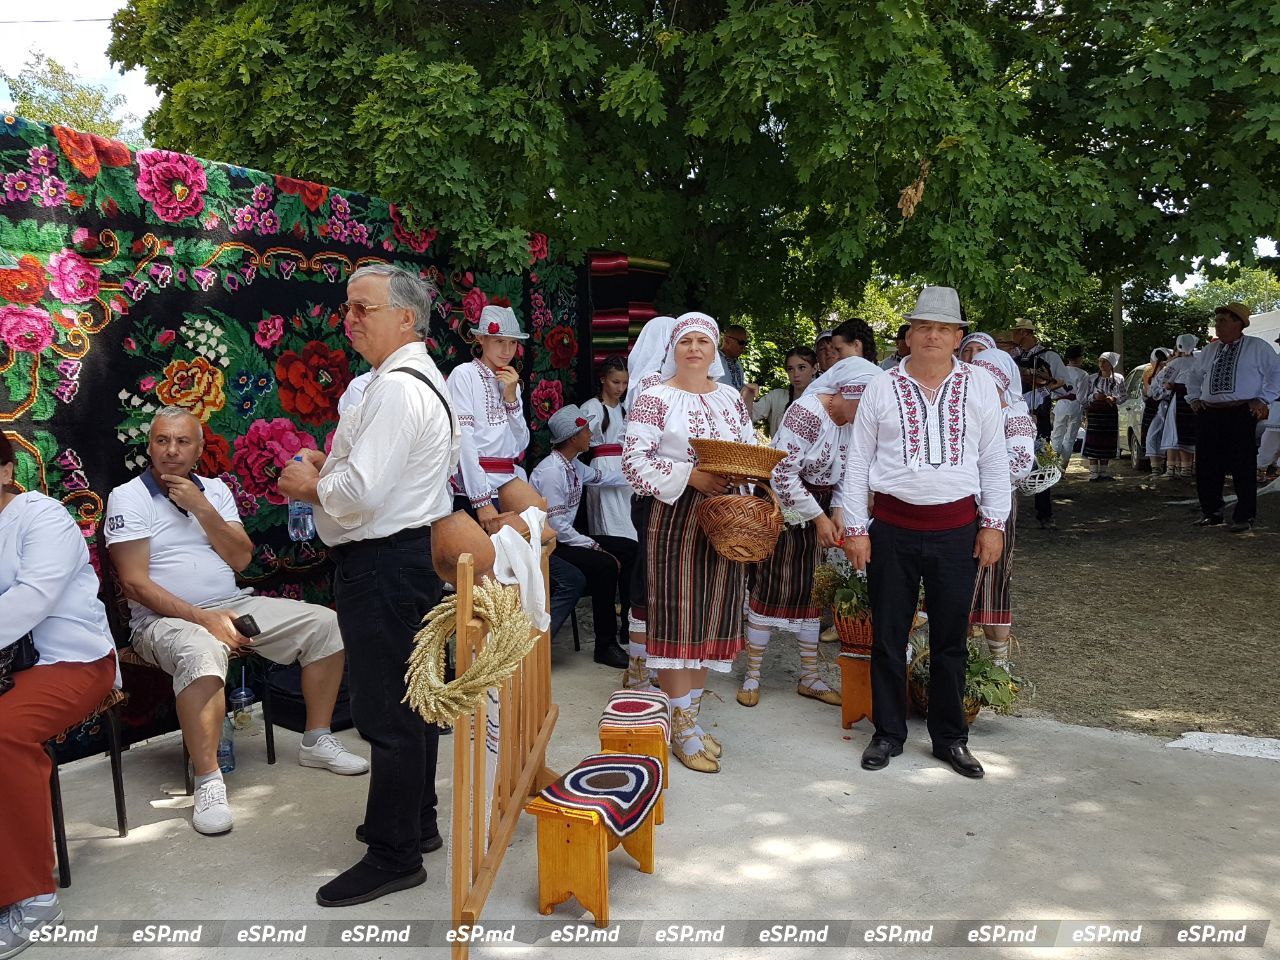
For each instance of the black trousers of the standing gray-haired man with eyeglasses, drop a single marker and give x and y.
(383, 589)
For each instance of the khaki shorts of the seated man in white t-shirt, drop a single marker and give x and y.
(291, 632)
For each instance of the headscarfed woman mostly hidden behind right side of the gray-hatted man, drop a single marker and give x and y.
(993, 606)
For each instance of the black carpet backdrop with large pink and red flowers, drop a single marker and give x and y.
(145, 278)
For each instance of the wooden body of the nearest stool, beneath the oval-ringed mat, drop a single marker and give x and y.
(574, 857)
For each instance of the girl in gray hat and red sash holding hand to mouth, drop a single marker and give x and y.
(491, 415)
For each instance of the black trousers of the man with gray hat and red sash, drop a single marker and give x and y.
(900, 561)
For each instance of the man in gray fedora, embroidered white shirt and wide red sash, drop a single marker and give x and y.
(930, 446)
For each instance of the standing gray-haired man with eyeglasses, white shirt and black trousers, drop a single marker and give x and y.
(378, 492)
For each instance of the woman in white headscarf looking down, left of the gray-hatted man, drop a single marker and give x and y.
(815, 435)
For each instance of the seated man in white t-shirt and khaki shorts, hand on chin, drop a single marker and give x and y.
(177, 545)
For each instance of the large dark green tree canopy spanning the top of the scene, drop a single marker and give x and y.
(780, 154)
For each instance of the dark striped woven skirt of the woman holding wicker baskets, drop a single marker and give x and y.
(694, 606)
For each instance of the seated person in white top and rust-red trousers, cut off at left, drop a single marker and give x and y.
(48, 589)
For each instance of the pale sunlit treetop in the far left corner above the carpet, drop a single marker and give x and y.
(47, 92)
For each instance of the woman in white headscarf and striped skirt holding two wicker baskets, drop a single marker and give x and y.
(694, 596)
